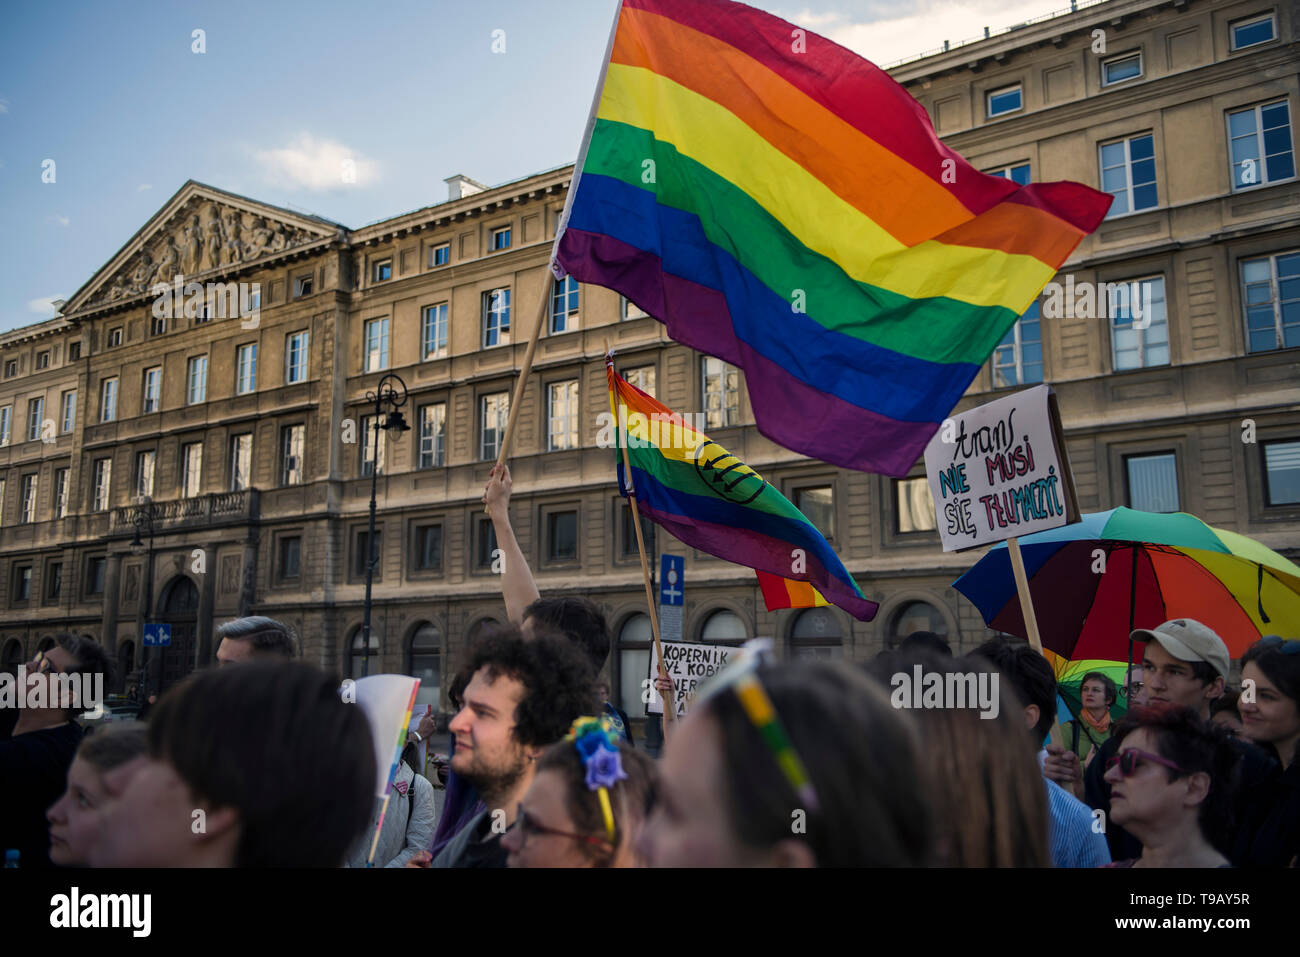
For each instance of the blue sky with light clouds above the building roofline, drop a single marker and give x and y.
(411, 92)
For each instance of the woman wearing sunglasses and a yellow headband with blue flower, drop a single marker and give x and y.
(566, 821)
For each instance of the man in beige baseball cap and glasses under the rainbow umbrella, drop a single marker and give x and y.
(1186, 665)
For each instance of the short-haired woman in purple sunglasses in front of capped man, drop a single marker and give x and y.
(1172, 785)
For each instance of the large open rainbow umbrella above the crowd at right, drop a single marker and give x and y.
(1097, 581)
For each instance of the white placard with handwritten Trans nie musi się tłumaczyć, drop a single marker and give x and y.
(1002, 471)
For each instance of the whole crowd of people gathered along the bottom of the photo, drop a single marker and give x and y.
(262, 763)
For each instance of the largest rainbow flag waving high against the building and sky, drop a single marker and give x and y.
(782, 203)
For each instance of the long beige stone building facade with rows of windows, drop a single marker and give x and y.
(202, 462)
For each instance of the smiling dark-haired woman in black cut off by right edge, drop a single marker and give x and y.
(1269, 835)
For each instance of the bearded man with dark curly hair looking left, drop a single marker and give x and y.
(525, 696)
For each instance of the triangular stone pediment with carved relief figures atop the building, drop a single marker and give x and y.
(201, 232)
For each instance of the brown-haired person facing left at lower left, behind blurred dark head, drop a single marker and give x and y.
(77, 819)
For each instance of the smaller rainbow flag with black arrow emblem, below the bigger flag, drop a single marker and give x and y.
(713, 501)
